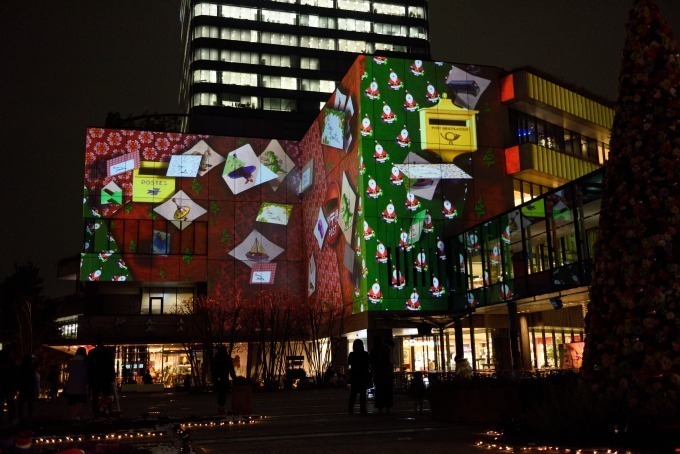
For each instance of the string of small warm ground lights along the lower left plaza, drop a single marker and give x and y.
(140, 435)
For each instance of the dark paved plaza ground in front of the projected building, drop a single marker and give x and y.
(300, 421)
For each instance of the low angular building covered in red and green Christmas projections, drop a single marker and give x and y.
(426, 198)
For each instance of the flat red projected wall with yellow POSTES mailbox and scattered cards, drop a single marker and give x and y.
(176, 208)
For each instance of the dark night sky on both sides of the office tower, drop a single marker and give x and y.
(66, 64)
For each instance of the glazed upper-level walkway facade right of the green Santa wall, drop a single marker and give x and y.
(541, 246)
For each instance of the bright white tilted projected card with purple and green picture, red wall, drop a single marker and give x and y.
(242, 170)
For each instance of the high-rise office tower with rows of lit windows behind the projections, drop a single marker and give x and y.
(263, 68)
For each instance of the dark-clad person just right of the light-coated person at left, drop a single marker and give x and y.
(101, 375)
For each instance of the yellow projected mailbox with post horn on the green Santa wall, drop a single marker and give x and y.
(448, 130)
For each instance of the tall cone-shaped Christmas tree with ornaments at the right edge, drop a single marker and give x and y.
(633, 323)
